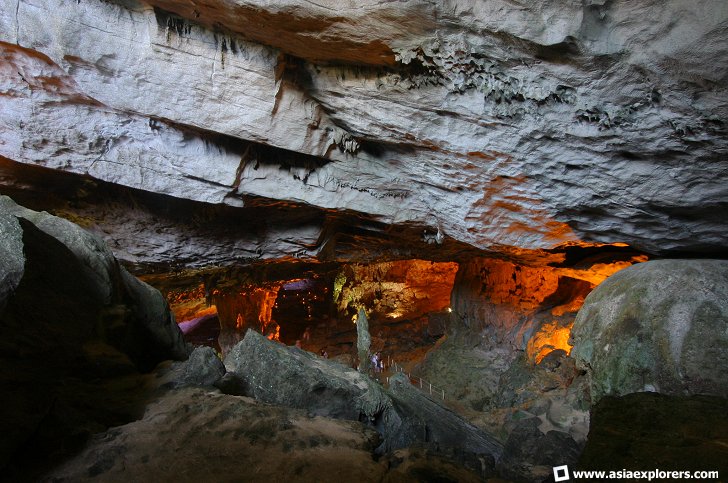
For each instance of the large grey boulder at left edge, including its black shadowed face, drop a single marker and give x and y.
(71, 318)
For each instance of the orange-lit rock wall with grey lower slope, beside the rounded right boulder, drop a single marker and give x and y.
(505, 314)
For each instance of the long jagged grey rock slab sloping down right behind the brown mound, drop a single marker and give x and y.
(288, 376)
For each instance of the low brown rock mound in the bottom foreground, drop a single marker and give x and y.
(203, 436)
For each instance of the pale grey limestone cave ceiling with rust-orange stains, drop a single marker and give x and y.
(493, 125)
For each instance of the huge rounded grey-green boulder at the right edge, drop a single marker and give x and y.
(657, 326)
